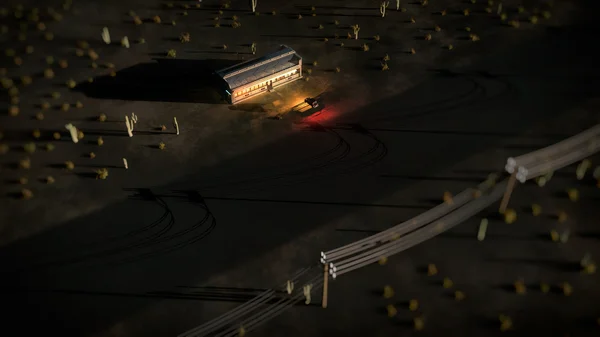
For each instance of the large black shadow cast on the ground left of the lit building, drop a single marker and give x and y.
(169, 80)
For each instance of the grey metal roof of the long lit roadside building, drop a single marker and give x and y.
(252, 70)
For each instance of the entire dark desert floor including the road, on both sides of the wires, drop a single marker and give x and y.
(460, 114)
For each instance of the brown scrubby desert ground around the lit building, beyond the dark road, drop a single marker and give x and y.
(158, 92)
